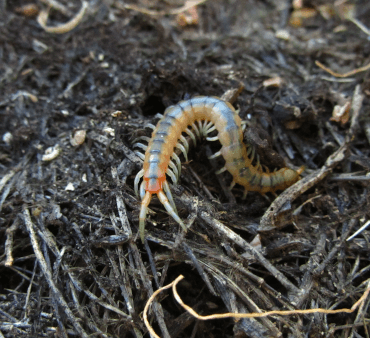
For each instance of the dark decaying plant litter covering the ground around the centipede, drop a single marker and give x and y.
(73, 101)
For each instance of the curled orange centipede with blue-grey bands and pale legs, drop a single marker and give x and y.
(198, 117)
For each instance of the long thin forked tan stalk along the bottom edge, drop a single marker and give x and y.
(240, 315)
